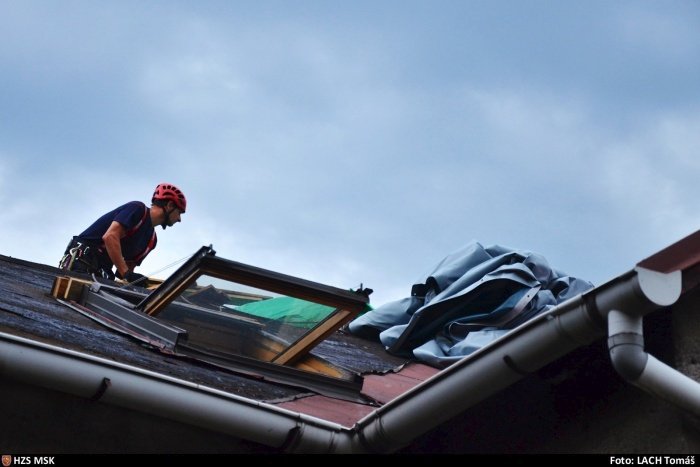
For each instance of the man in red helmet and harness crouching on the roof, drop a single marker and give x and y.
(123, 237)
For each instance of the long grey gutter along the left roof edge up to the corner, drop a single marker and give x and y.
(134, 388)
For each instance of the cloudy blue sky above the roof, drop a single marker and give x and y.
(355, 142)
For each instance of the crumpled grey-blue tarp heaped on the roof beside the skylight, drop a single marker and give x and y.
(469, 299)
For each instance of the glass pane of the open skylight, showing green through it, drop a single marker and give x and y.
(229, 317)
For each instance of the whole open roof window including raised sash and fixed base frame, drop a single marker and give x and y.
(267, 330)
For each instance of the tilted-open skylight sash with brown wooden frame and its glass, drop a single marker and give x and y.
(269, 316)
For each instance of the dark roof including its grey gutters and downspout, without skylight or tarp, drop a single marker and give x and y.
(47, 343)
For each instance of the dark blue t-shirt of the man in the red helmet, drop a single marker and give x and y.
(137, 243)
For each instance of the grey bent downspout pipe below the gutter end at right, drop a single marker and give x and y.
(635, 365)
